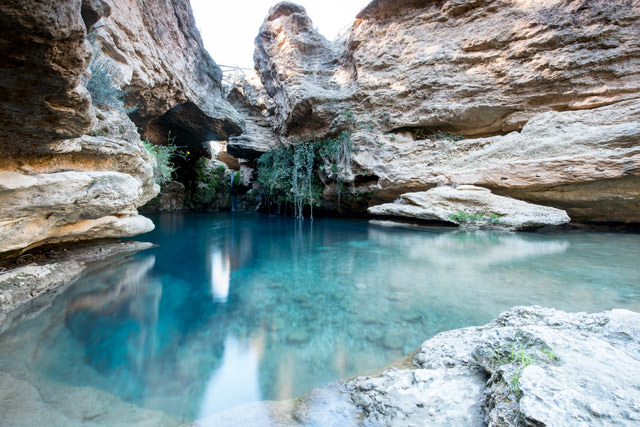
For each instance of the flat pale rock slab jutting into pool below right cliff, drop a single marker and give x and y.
(470, 206)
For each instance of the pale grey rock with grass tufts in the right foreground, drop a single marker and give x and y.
(530, 366)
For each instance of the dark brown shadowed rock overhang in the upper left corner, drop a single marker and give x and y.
(44, 55)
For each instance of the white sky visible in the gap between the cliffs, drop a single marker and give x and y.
(228, 27)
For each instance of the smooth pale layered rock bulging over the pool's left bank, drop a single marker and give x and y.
(76, 189)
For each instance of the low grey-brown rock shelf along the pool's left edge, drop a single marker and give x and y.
(35, 276)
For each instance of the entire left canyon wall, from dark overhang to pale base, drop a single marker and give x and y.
(72, 167)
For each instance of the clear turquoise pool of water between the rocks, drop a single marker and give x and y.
(238, 308)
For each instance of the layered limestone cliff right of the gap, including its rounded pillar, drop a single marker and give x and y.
(546, 95)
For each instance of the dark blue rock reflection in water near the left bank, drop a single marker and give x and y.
(116, 325)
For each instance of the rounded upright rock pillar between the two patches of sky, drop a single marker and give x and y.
(301, 70)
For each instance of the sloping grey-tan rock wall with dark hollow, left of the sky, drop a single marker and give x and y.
(169, 77)
